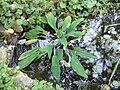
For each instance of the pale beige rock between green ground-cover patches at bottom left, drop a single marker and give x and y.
(24, 81)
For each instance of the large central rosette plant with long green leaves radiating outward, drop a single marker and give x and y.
(60, 47)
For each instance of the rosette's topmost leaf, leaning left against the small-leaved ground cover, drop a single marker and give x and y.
(51, 20)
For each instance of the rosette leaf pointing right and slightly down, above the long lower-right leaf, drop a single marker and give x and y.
(81, 52)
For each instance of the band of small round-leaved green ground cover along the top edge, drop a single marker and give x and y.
(31, 13)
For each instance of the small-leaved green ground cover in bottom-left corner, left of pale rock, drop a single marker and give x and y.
(6, 81)
